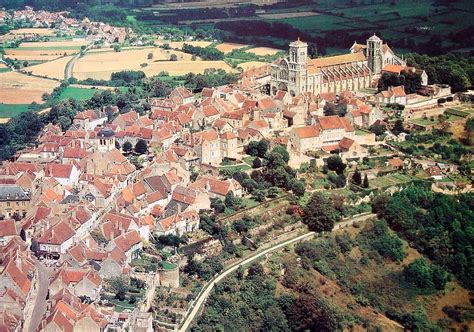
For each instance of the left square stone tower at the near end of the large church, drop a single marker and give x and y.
(298, 67)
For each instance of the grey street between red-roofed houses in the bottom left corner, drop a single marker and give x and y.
(39, 308)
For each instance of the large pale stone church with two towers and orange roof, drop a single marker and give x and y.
(349, 72)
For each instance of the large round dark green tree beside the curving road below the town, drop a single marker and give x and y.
(319, 213)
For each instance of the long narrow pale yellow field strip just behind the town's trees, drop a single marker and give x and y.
(174, 68)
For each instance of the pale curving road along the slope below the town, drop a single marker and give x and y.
(204, 295)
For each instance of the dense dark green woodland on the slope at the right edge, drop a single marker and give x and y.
(439, 226)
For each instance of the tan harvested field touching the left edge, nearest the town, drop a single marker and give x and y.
(16, 88)
